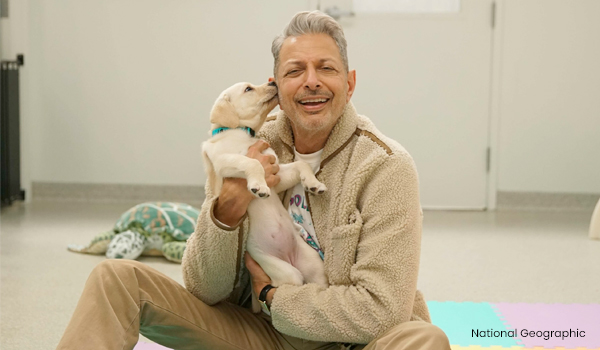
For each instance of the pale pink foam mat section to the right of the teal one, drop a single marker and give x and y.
(553, 317)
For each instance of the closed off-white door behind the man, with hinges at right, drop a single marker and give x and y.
(424, 80)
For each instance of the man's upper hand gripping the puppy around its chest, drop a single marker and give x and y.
(235, 197)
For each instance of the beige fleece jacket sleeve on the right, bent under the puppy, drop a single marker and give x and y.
(383, 265)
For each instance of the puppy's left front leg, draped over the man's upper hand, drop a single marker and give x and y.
(237, 165)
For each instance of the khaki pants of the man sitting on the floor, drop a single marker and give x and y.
(123, 298)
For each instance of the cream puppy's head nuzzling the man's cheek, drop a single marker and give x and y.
(244, 104)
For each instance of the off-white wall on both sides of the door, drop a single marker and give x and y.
(119, 91)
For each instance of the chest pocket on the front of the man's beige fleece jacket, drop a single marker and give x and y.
(341, 255)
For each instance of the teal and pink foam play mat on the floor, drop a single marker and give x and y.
(508, 326)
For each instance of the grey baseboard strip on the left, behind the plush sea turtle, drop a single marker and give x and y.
(115, 193)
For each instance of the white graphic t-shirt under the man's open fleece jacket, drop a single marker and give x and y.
(298, 208)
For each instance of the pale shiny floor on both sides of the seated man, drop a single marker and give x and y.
(504, 256)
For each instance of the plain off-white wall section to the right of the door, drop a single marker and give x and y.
(549, 137)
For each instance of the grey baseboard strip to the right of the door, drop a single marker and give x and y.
(547, 201)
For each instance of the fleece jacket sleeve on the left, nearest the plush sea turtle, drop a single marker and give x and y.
(212, 260)
